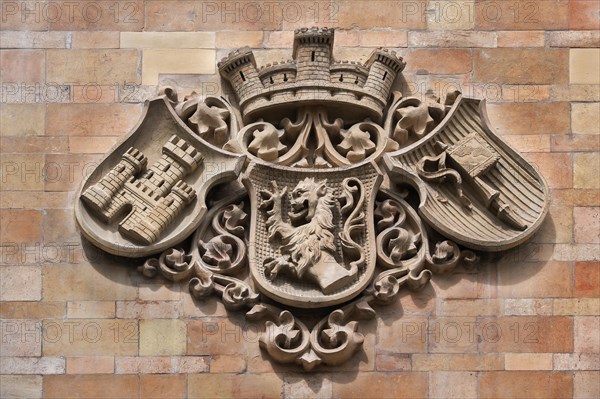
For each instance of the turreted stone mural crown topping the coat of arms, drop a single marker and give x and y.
(350, 90)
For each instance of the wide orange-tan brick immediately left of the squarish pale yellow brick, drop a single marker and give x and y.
(90, 337)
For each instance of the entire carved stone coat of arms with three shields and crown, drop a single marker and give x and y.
(317, 187)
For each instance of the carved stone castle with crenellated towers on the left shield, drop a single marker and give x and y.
(147, 205)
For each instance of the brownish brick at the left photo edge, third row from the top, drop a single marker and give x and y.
(22, 67)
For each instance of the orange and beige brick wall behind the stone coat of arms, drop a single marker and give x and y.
(74, 75)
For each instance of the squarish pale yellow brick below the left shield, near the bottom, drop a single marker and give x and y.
(162, 337)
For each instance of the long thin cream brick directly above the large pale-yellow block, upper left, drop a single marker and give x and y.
(182, 40)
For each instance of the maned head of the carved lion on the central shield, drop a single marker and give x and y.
(306, 198)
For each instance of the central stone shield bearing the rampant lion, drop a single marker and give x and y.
(311, 244)
